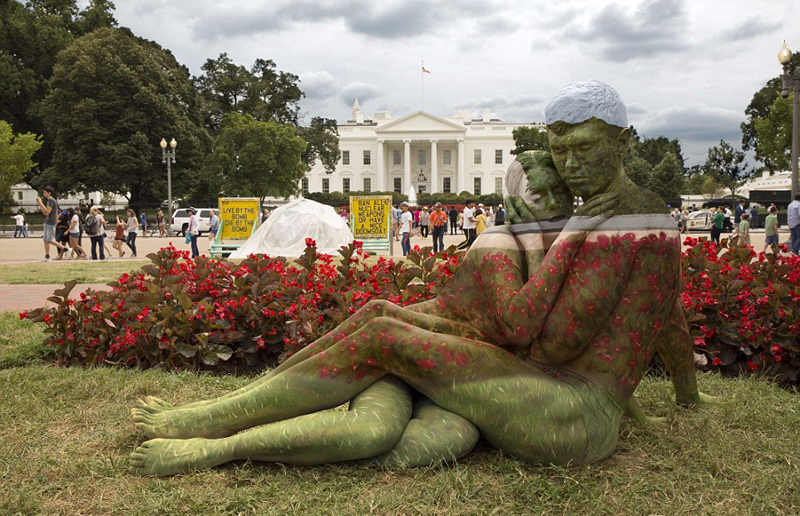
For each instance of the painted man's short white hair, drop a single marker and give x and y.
(582, 100)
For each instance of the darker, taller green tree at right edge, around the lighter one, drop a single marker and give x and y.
(761, 107)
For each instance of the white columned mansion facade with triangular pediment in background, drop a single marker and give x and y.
(419, 153)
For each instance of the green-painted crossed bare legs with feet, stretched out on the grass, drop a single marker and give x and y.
(517, 408)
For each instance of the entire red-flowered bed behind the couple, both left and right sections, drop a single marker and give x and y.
(743, 308)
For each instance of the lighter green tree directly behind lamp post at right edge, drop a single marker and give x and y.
(774, 134)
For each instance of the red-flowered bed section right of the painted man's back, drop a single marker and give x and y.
(743, 308)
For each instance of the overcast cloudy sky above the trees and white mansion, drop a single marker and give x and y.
(686, 69)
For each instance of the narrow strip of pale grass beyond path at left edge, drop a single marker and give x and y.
(59, 273)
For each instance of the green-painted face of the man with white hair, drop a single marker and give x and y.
(588, 157)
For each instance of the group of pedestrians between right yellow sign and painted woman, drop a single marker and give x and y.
(472, 221)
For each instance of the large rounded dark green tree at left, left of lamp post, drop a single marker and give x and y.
(113, 97)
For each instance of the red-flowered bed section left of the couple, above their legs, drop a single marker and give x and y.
(178, 313)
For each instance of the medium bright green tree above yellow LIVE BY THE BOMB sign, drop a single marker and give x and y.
(253, 158)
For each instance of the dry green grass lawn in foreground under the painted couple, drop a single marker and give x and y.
(65, 436)
